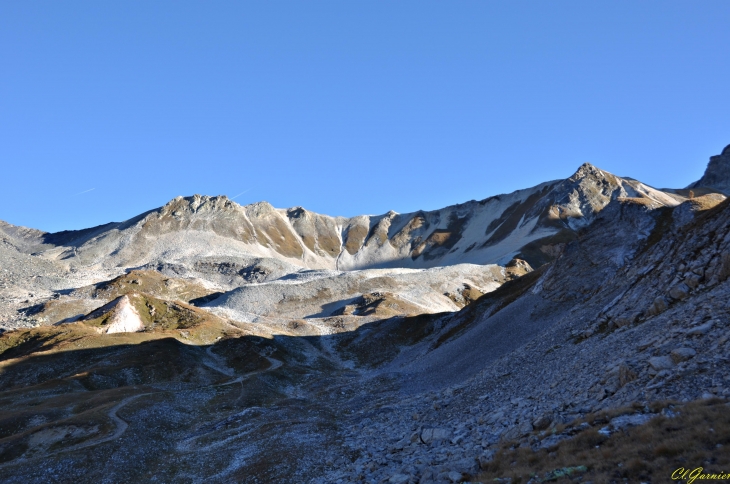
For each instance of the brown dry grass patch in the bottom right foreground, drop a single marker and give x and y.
(698, 436)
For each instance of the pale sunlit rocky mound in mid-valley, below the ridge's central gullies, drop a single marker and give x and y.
(326, 293)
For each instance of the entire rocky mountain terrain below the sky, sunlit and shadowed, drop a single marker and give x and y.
(274, 373)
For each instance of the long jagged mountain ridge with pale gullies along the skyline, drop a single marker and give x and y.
(492, 230)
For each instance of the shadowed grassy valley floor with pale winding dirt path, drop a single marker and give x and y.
(152, 404)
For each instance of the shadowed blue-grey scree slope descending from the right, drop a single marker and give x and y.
(594, 332)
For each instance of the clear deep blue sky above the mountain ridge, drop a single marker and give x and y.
(109, 109)
